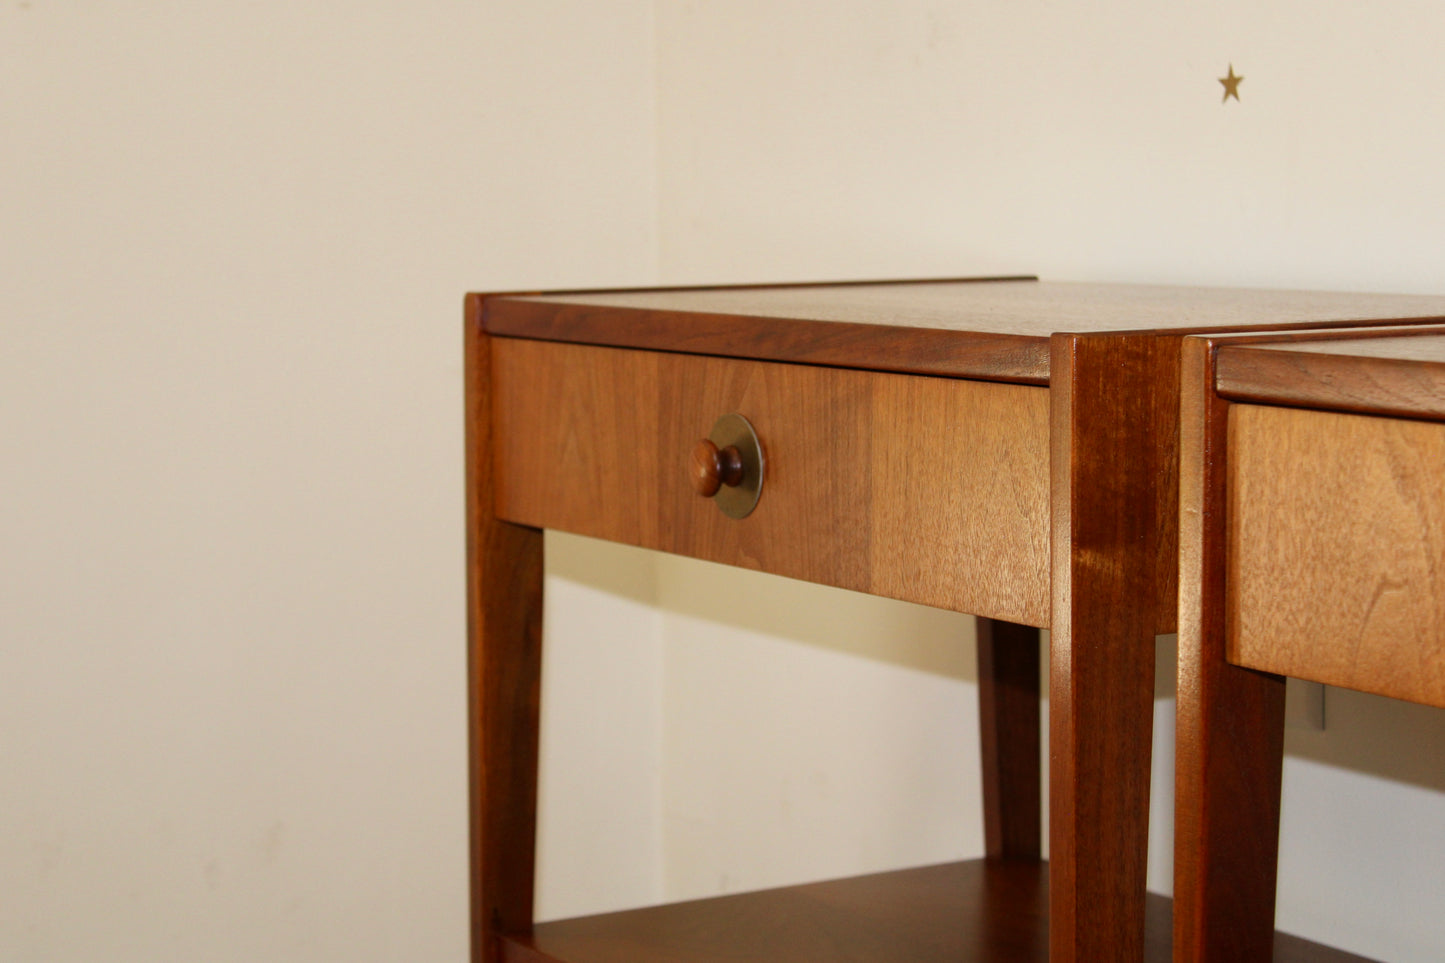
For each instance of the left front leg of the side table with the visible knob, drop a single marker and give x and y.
(504, 672)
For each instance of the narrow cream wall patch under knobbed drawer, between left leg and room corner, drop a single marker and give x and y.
(600, 842)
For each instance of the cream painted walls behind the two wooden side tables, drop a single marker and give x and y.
(233, 244)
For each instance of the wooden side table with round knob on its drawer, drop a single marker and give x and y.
(999, 448)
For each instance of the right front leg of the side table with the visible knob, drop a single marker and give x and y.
(1115, 497)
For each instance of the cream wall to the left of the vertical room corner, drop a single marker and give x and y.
(233, 249)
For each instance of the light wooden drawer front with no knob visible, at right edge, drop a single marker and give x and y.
(1337, 550)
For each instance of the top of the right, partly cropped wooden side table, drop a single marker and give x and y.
(1398, 375)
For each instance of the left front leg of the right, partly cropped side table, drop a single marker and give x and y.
(1230, 721)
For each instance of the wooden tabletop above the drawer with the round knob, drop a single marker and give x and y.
(985, 329)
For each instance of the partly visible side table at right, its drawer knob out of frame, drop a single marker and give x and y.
(1313, 546)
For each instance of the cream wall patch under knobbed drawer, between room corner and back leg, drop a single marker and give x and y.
(810, 732)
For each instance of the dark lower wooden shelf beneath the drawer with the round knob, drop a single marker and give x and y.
(980, 912)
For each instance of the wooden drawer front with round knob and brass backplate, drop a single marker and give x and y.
(926, 489)
